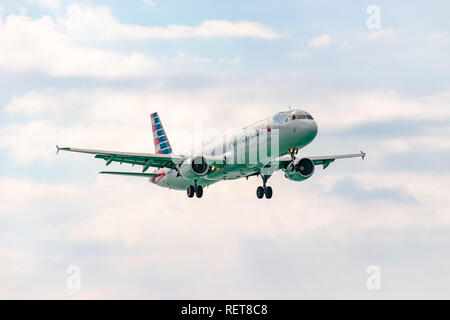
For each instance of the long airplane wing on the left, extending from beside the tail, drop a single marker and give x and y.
(146, 160)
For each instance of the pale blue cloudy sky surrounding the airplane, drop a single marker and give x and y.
(374, 74)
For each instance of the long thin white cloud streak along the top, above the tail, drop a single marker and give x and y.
(89, 23)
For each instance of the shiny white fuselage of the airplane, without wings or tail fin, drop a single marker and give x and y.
(247, 151)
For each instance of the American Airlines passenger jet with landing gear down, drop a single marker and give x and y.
(259, 149)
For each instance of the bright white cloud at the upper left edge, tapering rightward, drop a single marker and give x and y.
(55, 53)
